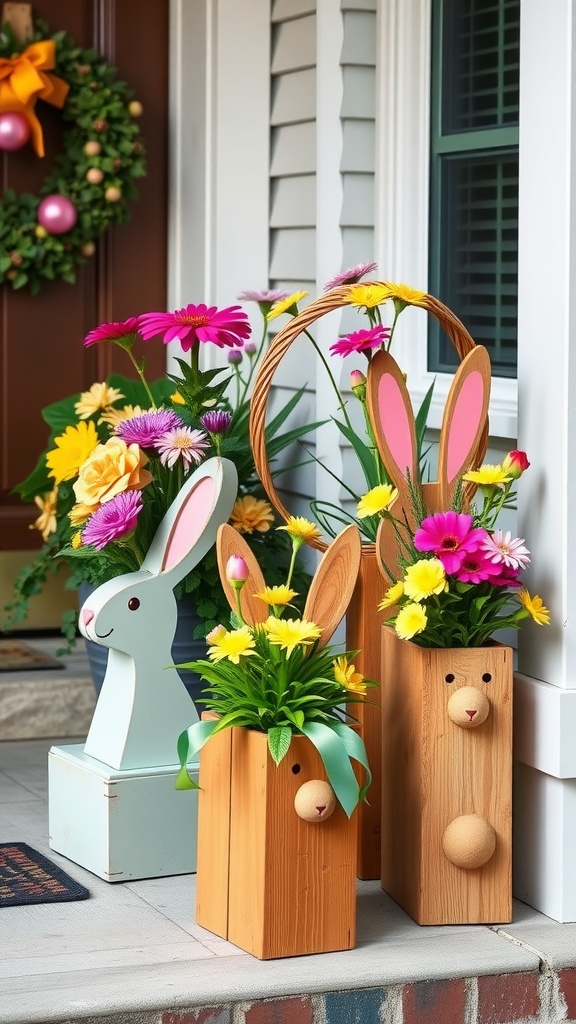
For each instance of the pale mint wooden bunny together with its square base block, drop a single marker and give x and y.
(113, 807)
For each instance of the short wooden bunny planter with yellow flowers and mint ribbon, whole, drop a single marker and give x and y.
(277, 839)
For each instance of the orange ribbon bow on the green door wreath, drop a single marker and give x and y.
(24, 80)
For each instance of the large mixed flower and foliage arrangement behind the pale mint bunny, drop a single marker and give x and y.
(118, 455)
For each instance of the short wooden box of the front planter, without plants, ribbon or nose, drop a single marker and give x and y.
(268, 881)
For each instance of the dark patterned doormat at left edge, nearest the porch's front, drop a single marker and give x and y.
(27, 877)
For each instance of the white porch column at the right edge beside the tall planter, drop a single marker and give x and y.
(546, 688)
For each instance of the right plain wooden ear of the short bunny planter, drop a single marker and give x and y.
(334, 583)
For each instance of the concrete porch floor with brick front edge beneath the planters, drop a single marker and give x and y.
(134, 954)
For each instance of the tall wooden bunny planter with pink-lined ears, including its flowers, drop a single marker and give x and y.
(454, 581)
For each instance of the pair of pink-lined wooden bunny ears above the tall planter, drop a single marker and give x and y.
(463, 439)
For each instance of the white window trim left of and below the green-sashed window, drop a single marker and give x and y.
(403, 154)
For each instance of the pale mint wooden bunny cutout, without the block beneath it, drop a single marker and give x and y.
(144, 705)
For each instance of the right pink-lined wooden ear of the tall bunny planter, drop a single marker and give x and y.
(465, 420)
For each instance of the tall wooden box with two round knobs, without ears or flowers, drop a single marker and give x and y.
(447, 782)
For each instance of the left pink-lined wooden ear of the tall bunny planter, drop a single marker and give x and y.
(393, 421)
